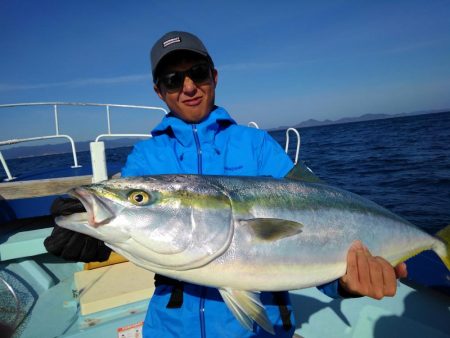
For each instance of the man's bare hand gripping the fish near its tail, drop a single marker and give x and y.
(368, 275)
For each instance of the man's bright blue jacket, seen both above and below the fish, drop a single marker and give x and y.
(216, 146)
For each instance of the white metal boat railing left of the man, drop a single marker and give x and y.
(56, 106)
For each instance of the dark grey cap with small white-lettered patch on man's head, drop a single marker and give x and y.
(174, 41)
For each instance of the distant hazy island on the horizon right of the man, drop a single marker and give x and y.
(365, 117)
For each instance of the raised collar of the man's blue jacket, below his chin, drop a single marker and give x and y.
(183, 132)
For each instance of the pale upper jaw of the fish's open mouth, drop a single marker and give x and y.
(97, 212)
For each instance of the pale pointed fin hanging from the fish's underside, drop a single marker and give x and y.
(247, 308)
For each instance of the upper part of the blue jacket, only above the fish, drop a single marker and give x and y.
(216, 146)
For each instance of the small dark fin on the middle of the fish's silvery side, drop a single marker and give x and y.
(272, 229)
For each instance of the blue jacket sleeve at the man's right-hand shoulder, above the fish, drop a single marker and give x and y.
(272, 160)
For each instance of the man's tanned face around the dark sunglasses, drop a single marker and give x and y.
(193, 101)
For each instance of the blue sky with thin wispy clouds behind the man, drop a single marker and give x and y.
(279, 62)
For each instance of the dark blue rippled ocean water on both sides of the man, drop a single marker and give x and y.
(401, 163)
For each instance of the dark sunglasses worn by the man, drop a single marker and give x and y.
(174, 81)
